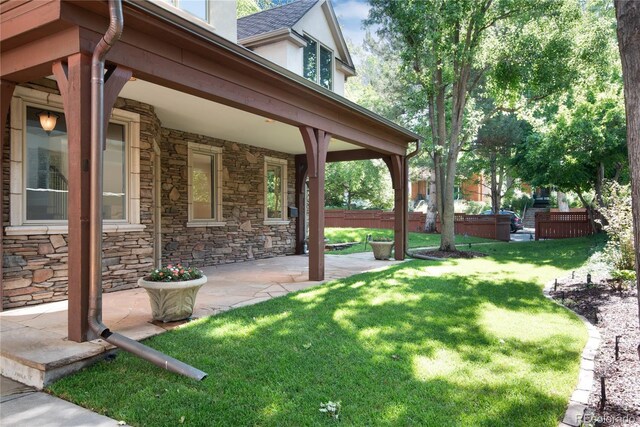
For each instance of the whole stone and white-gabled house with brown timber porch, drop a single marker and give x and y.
(208, 146)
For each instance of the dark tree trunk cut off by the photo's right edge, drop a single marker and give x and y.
(628, 17)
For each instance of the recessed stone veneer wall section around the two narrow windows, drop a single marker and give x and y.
(245, 235)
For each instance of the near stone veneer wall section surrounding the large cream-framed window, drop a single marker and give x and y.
(35, 266)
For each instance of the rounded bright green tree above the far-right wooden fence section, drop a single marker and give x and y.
(583, 145)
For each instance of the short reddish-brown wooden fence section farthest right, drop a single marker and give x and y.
(562, 225)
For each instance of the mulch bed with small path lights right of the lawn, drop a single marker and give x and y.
(614, 313)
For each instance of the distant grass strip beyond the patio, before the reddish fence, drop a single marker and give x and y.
(416, 240)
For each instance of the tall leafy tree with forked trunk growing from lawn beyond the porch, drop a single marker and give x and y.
(448, 48)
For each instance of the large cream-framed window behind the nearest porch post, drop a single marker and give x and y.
(40, 168)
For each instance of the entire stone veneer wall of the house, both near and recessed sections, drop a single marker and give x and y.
(35, 266)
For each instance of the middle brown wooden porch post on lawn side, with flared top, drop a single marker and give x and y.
(316, 143)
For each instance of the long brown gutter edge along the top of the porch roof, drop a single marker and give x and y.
(296, 82)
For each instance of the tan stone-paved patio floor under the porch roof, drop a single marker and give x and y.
(35, 351)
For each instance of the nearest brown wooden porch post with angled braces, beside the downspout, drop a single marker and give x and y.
(74, 82)
